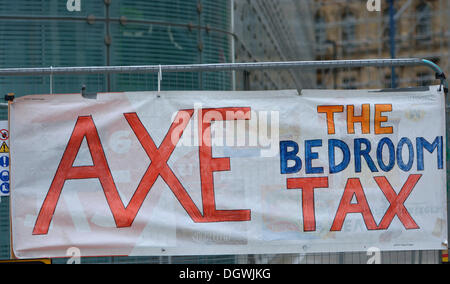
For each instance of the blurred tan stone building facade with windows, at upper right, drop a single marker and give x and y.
(348, 30)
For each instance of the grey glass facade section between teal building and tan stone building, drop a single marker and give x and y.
(273, 31)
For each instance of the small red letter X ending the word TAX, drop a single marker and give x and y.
(397, 202)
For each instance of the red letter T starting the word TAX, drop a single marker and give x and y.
(308, 185)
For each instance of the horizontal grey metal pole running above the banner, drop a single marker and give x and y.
(211, 67)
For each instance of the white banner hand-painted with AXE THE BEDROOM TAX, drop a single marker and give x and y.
(200, 173)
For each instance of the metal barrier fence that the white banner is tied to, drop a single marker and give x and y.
(228, 76)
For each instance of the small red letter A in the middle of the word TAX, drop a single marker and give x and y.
(353, 188)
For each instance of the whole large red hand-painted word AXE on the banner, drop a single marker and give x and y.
(124, 216)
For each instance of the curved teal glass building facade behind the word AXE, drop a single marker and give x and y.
(45, 33)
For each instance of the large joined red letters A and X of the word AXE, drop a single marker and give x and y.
(123, 216)
